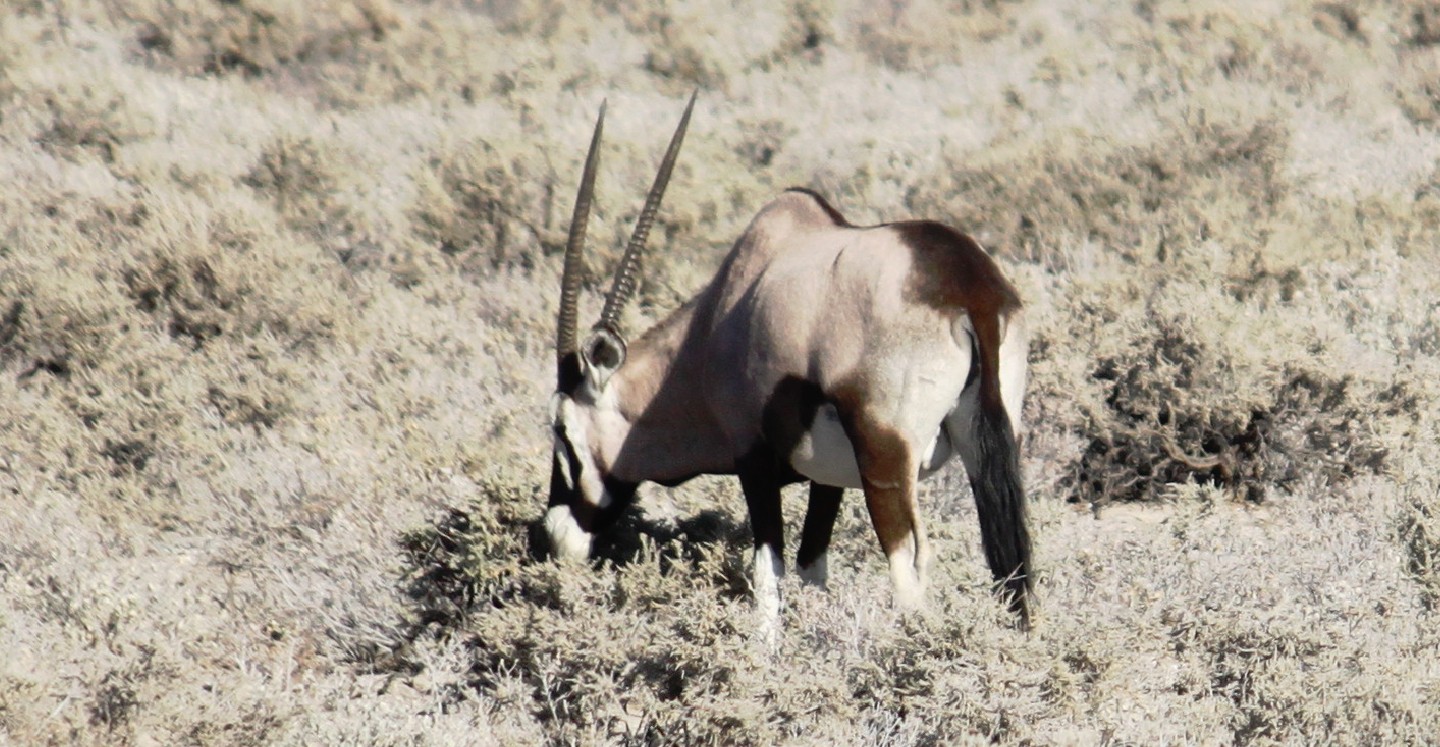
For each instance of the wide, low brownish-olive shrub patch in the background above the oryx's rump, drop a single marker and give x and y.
(1207, 182)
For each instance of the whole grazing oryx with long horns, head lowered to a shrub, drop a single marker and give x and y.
(853, 358)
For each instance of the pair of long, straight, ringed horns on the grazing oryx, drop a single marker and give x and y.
(627, 274)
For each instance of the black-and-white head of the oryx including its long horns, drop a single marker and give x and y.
(584, 414)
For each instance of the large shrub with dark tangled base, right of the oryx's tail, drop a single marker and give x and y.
(1264, 379)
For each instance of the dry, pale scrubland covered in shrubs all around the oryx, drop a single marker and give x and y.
(277, 284)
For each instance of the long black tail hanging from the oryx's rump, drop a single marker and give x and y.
(993, 463)
